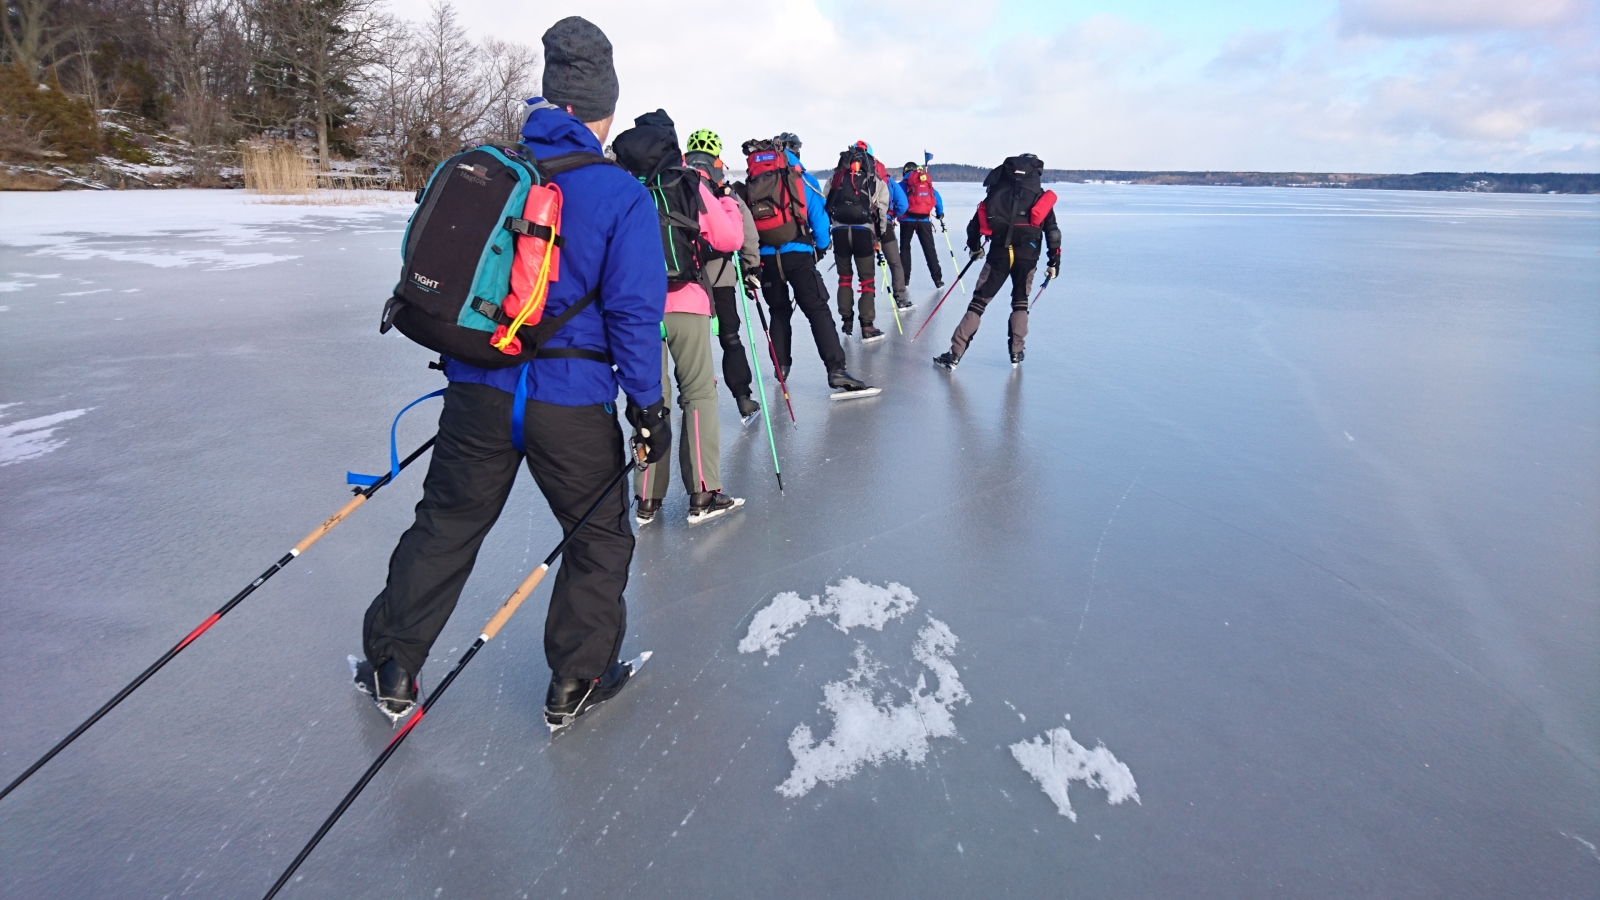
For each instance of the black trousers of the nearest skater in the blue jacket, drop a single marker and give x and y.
(574, 454)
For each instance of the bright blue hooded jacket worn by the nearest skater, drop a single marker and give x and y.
(614, 239)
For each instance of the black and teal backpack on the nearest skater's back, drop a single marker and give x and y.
(460, 249)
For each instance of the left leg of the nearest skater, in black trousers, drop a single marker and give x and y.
(468, 481)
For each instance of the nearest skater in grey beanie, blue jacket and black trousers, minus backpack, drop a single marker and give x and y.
(570, 440)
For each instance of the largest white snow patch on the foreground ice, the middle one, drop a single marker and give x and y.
(871, 728)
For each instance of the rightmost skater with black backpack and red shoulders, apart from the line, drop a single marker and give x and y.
(1018, 219)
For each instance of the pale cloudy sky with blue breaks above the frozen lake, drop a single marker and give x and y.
(1281, 86)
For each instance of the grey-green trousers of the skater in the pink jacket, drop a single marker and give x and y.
(698, 432)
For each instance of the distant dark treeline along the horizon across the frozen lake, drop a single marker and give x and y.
(1479, 182)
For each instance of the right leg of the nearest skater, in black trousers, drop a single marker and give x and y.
(575, 454)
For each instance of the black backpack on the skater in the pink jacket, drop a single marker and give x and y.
(650, 153)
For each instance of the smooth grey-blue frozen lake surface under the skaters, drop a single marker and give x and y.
(1274, 573)
